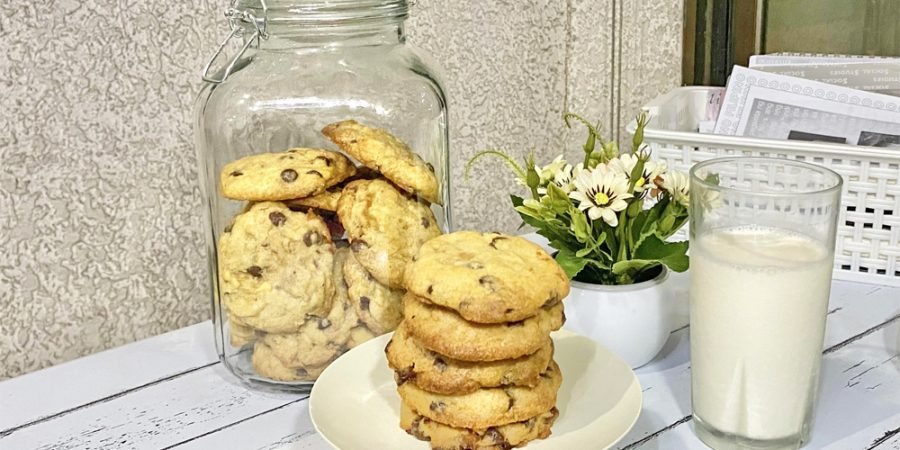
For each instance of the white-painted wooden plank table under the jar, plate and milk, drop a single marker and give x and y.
(170, 391)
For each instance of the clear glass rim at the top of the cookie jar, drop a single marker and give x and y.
(313, 12)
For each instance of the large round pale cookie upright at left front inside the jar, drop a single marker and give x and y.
(275, 268)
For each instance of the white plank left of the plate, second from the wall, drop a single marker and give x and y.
(160, 416)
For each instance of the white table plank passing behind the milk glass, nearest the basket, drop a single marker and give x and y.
(855, 309)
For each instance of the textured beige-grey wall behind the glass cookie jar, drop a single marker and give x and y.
(99, 227)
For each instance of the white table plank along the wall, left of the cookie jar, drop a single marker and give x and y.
(105, 374)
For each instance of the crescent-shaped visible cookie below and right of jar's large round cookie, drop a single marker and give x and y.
(321, 338)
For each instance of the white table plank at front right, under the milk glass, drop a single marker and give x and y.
(859, 405)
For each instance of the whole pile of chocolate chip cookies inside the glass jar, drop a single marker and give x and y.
(314, 263)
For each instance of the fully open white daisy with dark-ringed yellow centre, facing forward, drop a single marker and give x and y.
(602, 193)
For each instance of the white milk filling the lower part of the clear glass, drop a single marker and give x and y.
(758, 303)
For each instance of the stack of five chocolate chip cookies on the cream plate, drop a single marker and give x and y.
(473, 355)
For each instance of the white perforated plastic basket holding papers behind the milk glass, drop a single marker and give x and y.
(868, 241)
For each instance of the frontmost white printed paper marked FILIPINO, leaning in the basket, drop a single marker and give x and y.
(773, 106)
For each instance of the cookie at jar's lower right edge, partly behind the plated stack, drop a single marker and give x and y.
(378, 306)
